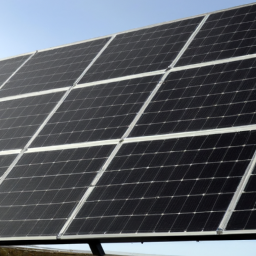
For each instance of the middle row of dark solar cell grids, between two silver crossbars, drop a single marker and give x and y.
(215, 96)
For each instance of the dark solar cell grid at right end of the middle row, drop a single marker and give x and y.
(202, 98)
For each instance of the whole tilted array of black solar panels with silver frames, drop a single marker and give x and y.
(145, 133)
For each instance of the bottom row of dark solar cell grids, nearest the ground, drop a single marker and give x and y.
(172, 185)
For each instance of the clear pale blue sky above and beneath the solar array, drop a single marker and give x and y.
(29, 25)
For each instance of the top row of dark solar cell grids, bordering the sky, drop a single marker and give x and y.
(224, 35)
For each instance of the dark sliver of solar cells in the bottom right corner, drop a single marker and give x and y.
(243, 218)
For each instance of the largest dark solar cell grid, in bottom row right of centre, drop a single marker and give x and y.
(167, 186)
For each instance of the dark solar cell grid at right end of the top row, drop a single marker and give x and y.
(225, 34)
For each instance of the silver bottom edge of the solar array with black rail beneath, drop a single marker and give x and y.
(133, 237)
